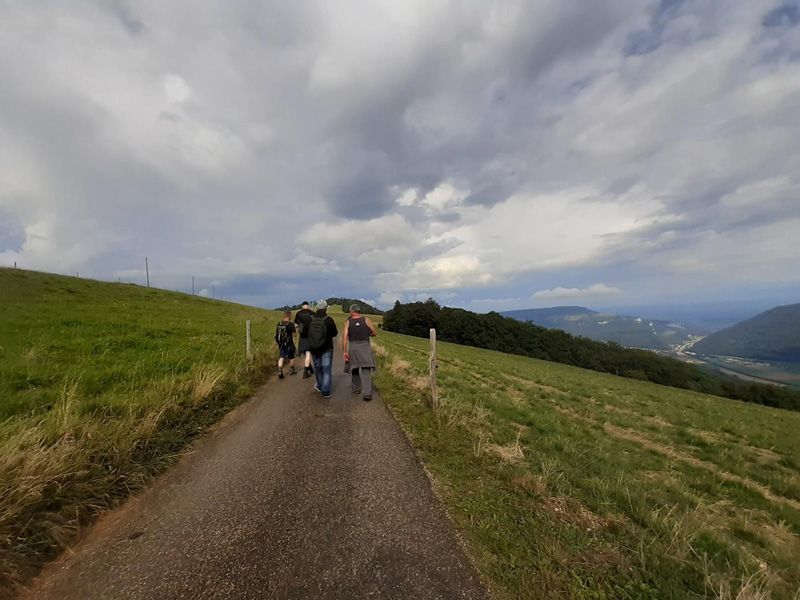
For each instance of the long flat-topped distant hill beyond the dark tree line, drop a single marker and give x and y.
(633, 332)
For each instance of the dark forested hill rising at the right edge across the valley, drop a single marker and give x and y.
(772, 335)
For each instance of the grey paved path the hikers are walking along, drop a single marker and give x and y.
(292, 496)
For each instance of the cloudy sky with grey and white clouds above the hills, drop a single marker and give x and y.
(492, 155)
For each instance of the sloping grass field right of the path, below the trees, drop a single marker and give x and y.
(568, 483)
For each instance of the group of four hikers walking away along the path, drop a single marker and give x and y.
(316, 332)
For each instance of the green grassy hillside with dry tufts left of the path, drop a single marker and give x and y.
(100, 386)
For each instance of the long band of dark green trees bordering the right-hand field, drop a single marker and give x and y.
(496, 332)
